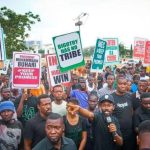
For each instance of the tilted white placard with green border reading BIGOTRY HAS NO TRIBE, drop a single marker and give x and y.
(69, 51)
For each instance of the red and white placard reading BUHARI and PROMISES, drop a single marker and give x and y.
(26, 70)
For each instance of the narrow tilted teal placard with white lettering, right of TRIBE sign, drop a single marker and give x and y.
(98, 56)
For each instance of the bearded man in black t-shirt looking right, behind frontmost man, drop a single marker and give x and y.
(35, 127)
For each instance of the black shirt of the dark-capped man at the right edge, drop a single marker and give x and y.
(140, 115)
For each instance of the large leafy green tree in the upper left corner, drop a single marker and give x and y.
(15, 28)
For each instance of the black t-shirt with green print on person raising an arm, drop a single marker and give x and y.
(29, 108)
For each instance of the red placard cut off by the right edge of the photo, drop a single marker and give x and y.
(147, 53)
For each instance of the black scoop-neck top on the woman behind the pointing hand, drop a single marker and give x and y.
(74, 132)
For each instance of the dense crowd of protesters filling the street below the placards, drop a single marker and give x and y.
(98, 111)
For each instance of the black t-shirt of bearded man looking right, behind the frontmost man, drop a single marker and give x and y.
(35, 129)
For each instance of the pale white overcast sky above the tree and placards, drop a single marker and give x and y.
(123, 19)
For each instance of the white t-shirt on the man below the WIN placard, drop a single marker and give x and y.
(60, 109)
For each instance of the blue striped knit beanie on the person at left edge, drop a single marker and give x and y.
(7, 105)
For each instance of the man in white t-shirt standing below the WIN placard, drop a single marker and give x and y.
(58, 105)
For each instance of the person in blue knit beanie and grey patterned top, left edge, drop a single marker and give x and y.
(10, 129)
